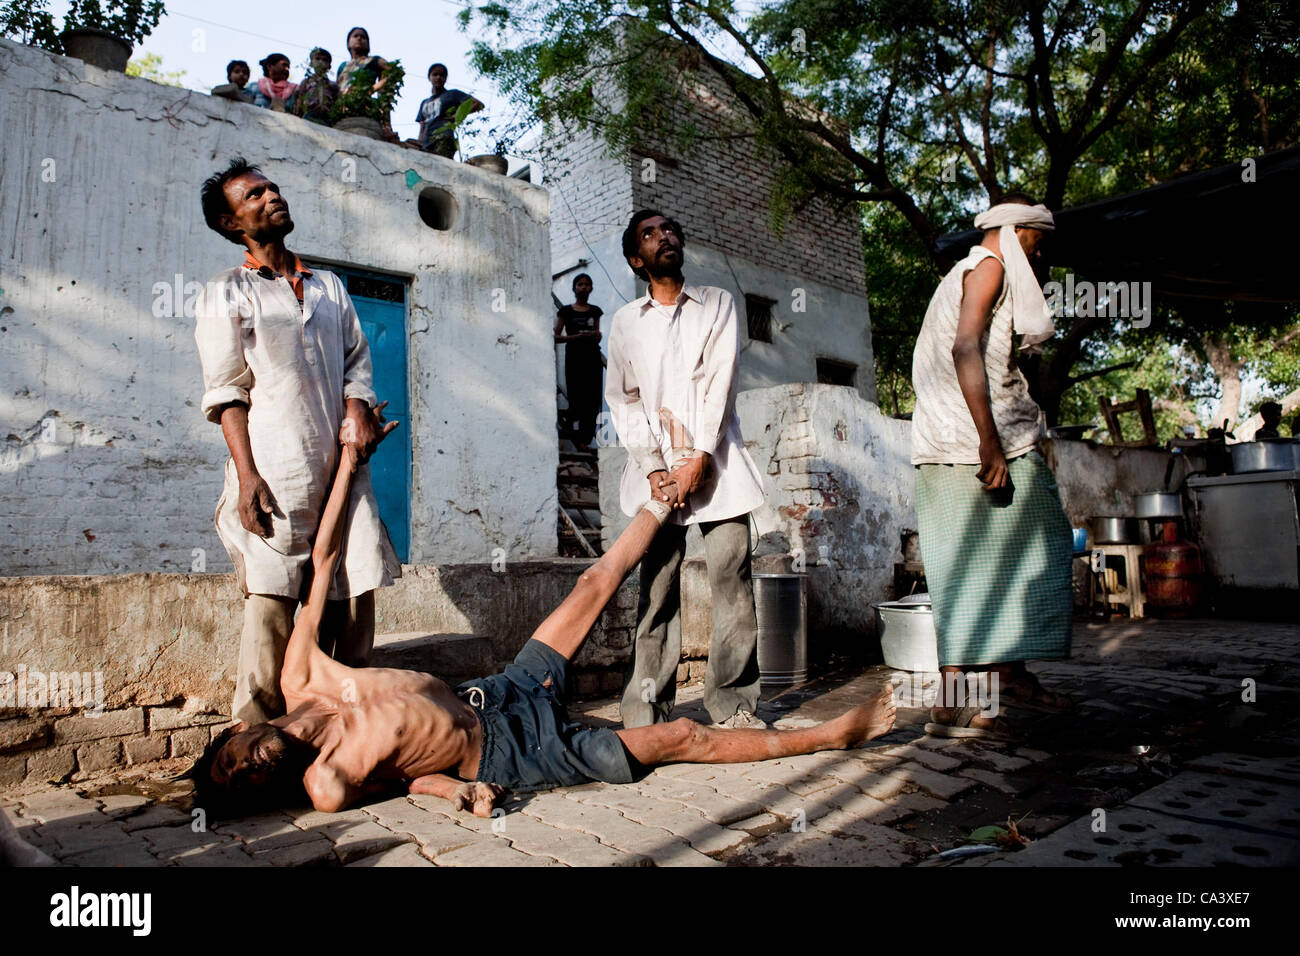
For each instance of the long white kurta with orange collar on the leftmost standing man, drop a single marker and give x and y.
(294, 365)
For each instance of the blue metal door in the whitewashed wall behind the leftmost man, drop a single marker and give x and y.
(380, 302)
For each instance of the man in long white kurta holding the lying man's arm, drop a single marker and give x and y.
(285, 365)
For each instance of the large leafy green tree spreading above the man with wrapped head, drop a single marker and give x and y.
(924, 113)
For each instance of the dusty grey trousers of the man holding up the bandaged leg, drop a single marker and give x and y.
(731, 678)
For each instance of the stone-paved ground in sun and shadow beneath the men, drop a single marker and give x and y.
(1162, 723)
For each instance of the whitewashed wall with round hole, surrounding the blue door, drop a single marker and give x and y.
(106, 461)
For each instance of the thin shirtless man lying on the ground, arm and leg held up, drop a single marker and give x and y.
(356, 732)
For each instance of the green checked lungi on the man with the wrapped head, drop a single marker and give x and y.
(998, 564)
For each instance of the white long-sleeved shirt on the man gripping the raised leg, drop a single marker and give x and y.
(682, 358)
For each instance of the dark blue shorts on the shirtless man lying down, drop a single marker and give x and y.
(530, 742)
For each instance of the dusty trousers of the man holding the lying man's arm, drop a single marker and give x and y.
(348, 635)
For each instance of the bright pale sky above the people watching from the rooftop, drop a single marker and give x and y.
(202, 38)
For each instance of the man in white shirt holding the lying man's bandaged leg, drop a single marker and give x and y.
(674, 356)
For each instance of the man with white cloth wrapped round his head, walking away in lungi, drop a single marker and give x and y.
(994, 537)
